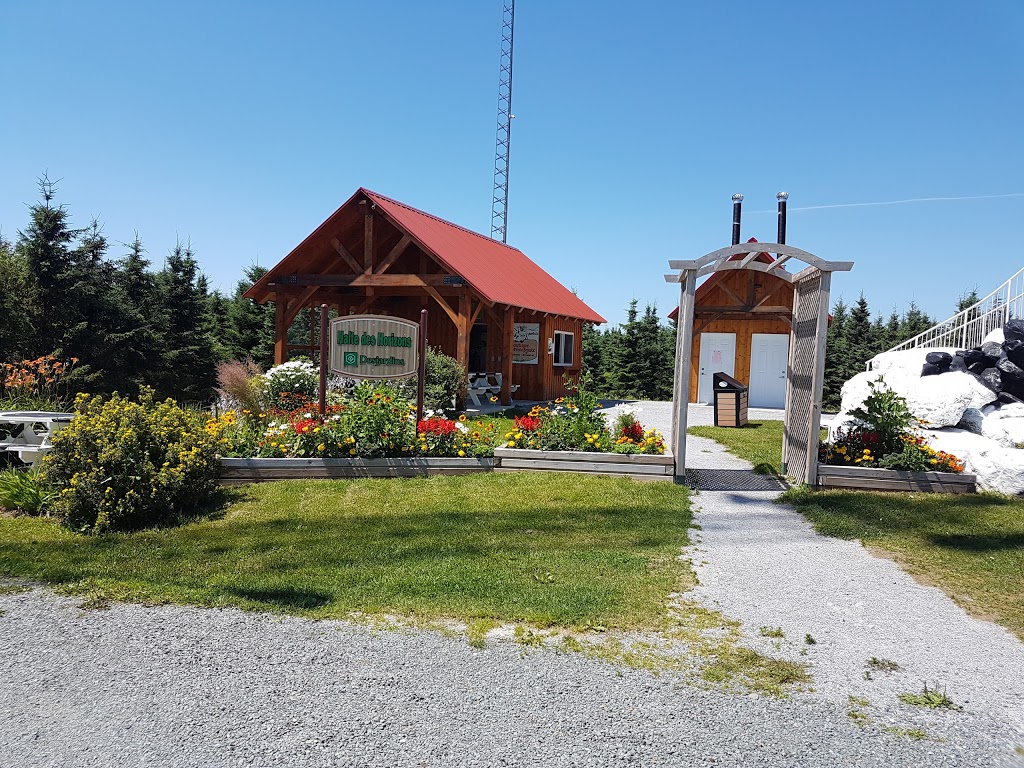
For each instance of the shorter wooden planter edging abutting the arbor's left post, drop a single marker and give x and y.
(638, 466)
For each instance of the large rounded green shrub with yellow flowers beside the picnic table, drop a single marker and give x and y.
(122, 465)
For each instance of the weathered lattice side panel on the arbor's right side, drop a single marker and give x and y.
(800, 387)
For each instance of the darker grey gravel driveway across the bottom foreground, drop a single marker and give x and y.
(177, 687)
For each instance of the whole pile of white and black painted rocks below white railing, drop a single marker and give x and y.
(973, 401)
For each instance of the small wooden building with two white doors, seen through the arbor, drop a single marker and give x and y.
(742, 325)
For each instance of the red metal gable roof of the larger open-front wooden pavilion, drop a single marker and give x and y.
(498, 273)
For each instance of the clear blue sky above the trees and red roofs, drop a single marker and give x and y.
(243, 125)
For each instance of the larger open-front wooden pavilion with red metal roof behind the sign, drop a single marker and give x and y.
(490, 307)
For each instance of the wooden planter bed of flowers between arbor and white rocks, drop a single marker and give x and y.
(884, 452)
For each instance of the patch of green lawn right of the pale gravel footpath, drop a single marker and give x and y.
(972, 547)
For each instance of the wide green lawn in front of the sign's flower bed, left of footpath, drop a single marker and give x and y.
(549, 549)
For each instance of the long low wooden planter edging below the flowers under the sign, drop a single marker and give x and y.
(236, 472)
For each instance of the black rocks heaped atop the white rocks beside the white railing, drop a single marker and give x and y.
(998, 365)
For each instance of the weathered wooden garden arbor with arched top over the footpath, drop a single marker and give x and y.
(805, 380)
